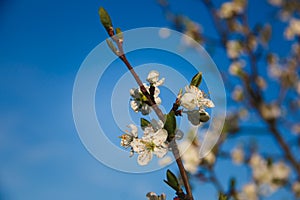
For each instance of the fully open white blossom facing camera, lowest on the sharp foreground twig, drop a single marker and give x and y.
(152, 143)
